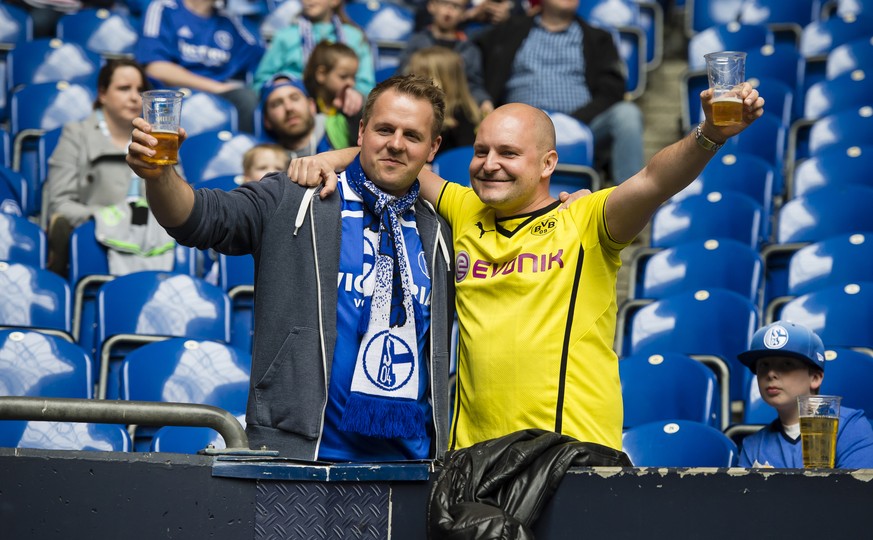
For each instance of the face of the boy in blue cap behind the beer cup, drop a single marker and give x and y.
(781, 379)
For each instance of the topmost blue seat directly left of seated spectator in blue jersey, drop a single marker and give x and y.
(107, 33)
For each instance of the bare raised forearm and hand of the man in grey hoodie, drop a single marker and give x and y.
(170, 198)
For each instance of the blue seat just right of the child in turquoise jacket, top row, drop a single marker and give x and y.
(386, 25)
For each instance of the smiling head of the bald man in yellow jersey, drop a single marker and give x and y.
(513, 159)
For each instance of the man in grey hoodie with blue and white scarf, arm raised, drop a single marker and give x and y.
(356, 371)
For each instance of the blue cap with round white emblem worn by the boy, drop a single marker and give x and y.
(785, 338)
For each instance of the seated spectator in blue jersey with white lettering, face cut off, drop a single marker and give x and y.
(192, 44)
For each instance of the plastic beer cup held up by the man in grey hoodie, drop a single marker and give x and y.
(163, 110)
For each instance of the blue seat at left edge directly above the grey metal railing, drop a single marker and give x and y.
(36, 364)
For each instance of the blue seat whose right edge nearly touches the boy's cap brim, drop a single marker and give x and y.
(712, 325)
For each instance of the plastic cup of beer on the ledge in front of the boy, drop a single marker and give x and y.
(819, 420)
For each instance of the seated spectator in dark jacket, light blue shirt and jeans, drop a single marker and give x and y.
(557, 62)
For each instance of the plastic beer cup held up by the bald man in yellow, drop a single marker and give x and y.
(726, 71)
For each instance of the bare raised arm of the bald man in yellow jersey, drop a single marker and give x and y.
(632, 204)
